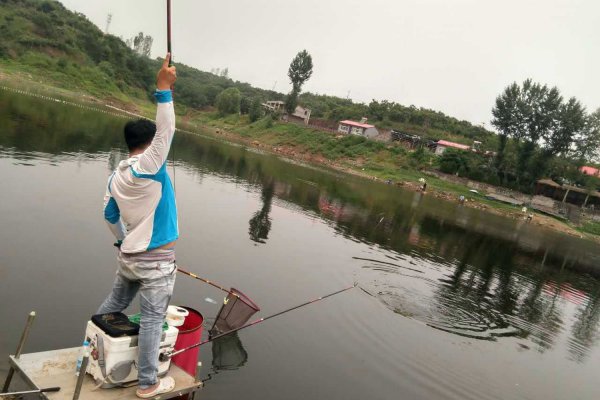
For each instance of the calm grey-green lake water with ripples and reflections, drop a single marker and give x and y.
(455, 303)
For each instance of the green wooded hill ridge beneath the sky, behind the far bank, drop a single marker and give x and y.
(46, 39)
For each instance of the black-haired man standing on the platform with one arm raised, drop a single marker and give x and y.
(140, 209)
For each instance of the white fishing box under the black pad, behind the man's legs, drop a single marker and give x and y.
(113, 360)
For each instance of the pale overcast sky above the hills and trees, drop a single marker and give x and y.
(455, 56)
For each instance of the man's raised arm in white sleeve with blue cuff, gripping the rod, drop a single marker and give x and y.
(153, 158)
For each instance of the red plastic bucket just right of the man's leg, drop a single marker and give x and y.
(190, 333)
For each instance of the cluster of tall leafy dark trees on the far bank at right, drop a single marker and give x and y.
(544, 130)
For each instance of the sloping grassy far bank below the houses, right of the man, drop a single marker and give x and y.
(390, 163)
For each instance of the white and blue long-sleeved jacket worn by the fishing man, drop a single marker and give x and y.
(139, 205)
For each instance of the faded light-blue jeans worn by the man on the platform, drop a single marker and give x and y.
(154, 281)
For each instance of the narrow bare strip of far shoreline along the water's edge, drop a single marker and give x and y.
(290, 153)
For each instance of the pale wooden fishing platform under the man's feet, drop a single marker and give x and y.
(57, 368)
